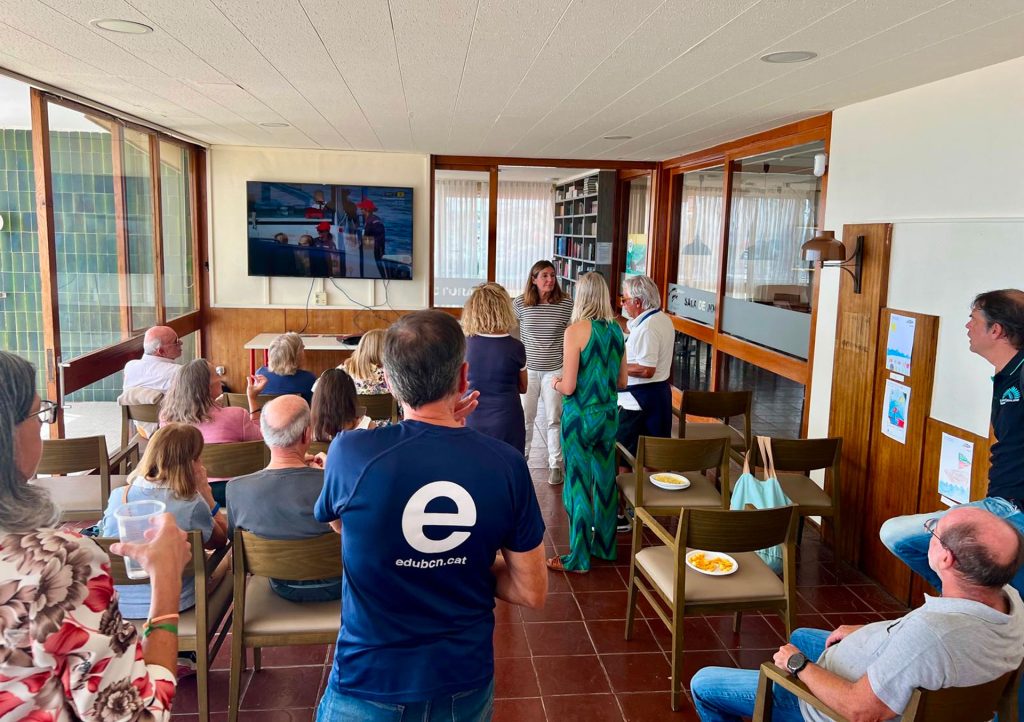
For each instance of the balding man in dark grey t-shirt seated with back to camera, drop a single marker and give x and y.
(278, 503)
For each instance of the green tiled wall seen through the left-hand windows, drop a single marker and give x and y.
(87, 245)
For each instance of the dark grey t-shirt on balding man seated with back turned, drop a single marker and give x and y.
(276, 503)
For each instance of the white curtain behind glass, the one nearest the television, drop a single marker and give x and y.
(460, 229)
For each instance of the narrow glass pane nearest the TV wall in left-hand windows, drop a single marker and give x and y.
(180, 298)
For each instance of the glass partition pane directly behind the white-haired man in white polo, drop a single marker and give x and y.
(701, 211)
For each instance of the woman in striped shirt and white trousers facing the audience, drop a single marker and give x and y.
(544, 313)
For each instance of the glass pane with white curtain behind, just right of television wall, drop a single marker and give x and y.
(460, 235)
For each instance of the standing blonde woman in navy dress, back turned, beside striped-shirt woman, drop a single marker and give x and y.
(497, 365)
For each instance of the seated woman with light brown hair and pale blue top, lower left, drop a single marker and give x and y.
(170, 473)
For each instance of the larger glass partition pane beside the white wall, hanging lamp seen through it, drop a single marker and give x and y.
(769, 295)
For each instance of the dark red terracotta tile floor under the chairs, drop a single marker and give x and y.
(570, 661)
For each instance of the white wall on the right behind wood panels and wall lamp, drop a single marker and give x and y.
(945, 163)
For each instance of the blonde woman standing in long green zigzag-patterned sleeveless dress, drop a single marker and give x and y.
(593, 371)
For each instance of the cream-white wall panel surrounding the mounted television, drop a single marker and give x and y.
(231, 167)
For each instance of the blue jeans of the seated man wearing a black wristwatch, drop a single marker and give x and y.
(723, 695)
